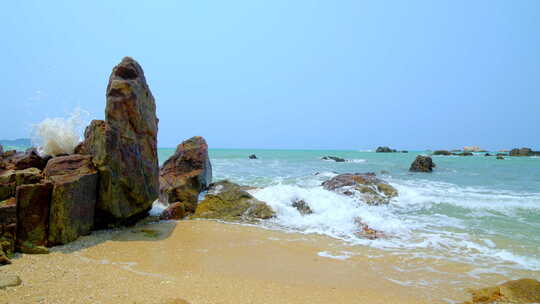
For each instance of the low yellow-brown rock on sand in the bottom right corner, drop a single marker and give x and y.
(516, 291)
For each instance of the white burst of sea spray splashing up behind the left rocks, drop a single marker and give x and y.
(59, 135)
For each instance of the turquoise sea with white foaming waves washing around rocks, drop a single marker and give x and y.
(472, 209)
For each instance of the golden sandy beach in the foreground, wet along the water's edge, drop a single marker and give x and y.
(212, 262)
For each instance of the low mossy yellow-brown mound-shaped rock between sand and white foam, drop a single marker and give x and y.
(228, 201)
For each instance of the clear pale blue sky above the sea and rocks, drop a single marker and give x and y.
(284, 74)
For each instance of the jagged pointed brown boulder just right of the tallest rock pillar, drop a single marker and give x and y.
(186, 173)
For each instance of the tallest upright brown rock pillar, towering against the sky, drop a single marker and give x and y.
(124, 148)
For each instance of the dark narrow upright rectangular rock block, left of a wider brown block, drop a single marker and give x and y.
(33, 206)
